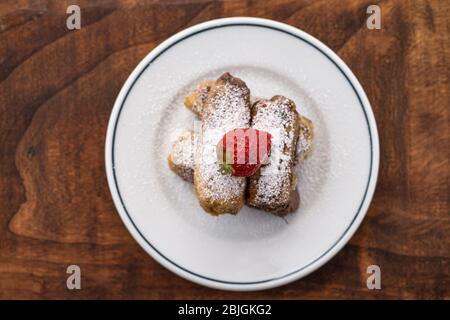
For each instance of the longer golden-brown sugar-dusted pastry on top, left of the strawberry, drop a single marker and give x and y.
(227, 106)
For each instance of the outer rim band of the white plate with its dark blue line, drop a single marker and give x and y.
(204, 280)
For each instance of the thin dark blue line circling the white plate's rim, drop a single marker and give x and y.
(292, 272)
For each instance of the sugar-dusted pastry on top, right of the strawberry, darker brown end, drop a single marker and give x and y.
(273, 187)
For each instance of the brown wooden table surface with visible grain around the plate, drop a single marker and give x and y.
(57, 89)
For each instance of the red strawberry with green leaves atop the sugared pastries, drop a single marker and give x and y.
(241, 152)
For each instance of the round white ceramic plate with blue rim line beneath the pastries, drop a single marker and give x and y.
(253, 250)
